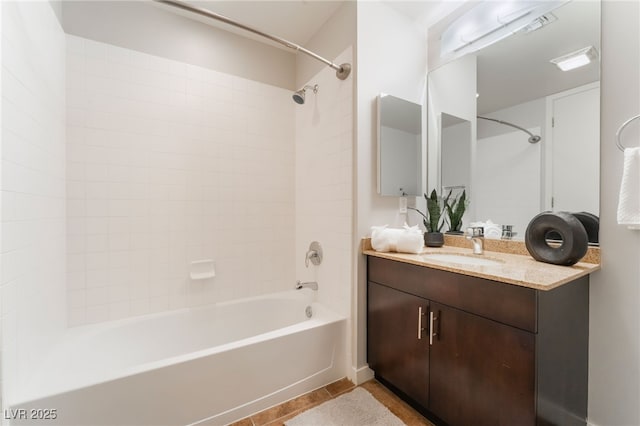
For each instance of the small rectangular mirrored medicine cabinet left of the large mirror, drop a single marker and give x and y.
(400, 150)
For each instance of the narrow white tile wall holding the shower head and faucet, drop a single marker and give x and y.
(324, 185)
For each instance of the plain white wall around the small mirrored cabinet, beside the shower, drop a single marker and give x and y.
(391, 58)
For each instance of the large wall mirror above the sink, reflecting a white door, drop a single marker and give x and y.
(503, 95)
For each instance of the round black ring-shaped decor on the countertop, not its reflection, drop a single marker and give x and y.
(573, 236)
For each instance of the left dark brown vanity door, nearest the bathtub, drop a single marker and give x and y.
(397, 340)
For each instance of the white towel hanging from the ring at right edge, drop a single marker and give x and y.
(629, 201)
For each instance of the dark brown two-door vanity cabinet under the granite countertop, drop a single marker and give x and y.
(471, 351)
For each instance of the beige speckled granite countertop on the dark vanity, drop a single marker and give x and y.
(514, 269)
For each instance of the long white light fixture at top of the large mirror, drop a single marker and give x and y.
(491, 21)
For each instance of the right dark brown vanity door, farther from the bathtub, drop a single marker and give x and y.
(482, 371)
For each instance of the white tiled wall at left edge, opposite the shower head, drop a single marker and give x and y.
(32, 281)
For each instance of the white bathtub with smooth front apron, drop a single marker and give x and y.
(202, 366)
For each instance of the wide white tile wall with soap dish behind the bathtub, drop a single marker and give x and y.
(168, 163)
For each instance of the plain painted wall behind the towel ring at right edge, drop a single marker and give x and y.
(614, 354)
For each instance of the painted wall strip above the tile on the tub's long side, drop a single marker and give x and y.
(149, 27)
